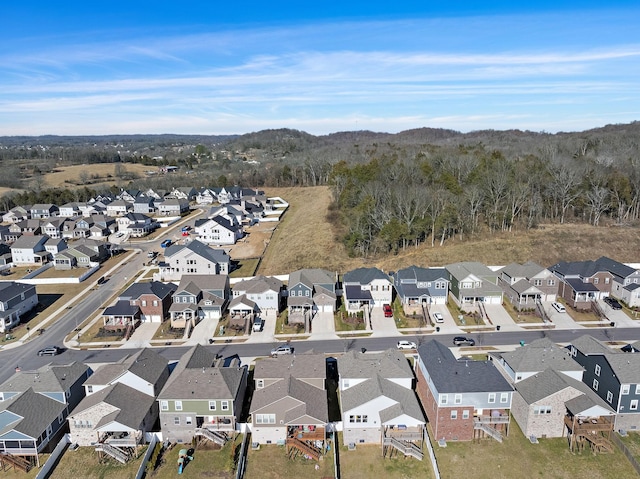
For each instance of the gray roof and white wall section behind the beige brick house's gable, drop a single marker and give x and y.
(534, 358)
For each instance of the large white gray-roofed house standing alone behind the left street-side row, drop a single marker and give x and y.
(193, 258)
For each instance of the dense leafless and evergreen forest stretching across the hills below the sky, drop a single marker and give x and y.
(390, 191)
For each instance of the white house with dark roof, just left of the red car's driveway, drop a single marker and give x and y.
(364, 288)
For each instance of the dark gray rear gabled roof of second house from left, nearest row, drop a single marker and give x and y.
(132, 405)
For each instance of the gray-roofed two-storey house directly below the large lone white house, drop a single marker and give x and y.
(199, 296)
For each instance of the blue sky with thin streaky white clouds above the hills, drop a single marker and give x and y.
(199, 67)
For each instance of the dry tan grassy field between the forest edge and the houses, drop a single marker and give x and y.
(305, 239)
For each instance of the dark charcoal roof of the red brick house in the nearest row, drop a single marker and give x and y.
(451, 375)
